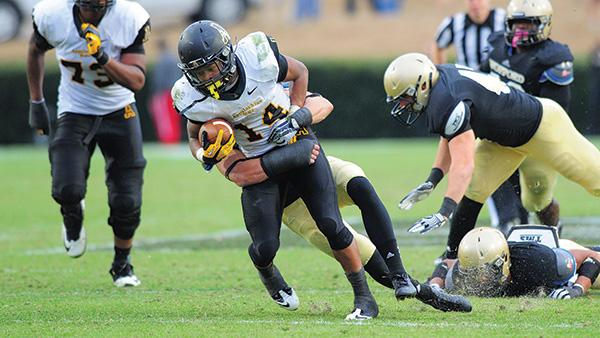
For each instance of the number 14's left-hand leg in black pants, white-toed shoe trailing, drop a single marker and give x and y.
(261, 206)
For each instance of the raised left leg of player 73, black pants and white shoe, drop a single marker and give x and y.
(70, 160)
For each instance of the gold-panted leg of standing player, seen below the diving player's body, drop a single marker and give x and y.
(538, 181)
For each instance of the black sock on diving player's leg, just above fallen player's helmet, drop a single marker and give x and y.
(463, 221)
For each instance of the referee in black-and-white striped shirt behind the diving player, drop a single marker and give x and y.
(469, 33)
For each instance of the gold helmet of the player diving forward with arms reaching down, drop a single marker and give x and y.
(407, 82)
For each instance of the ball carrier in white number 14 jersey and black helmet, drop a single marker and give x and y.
(243, 86)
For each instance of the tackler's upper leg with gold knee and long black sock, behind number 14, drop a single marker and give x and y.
(352, 185)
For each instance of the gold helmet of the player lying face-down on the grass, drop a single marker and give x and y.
(483, 266)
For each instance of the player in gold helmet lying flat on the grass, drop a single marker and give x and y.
(489, 266)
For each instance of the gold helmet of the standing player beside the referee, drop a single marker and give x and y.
(538, 13)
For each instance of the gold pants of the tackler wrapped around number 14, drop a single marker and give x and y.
(297, 218)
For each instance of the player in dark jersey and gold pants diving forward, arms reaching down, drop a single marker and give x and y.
(461, 104)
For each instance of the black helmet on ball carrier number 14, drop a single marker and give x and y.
(205, 45)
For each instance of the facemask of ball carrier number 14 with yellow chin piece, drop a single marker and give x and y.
(222, 62)
